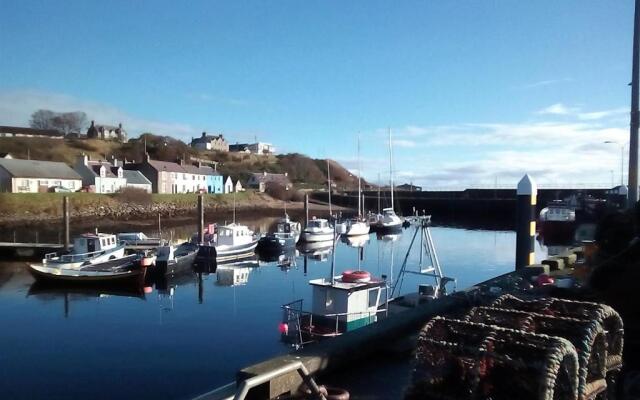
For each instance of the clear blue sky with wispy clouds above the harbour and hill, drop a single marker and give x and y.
(474, 91)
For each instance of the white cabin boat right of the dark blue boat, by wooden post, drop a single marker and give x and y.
(232, 242)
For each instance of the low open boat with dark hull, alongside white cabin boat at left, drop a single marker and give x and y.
(123, 270)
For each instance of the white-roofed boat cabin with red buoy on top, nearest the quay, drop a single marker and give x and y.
(344, 304)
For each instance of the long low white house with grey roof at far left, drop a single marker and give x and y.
(32, 176)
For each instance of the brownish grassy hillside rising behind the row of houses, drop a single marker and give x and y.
(302, 170)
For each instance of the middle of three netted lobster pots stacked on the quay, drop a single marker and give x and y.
(587, 336)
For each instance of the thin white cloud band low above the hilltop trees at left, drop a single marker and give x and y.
(17, 106)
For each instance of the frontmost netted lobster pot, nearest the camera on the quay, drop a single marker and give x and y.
(465, 360)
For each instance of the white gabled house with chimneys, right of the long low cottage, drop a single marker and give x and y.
(101, 176)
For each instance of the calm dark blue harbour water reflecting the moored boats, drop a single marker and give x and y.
(192, 333)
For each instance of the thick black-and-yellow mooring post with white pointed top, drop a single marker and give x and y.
(526, 222)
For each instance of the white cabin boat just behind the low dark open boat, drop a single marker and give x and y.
(89, 248)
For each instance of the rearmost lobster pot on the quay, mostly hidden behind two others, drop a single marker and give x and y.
(606, 316)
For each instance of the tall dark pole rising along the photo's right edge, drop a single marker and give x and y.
(633, 139)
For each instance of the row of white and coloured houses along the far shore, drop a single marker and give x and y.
(102, 176)
